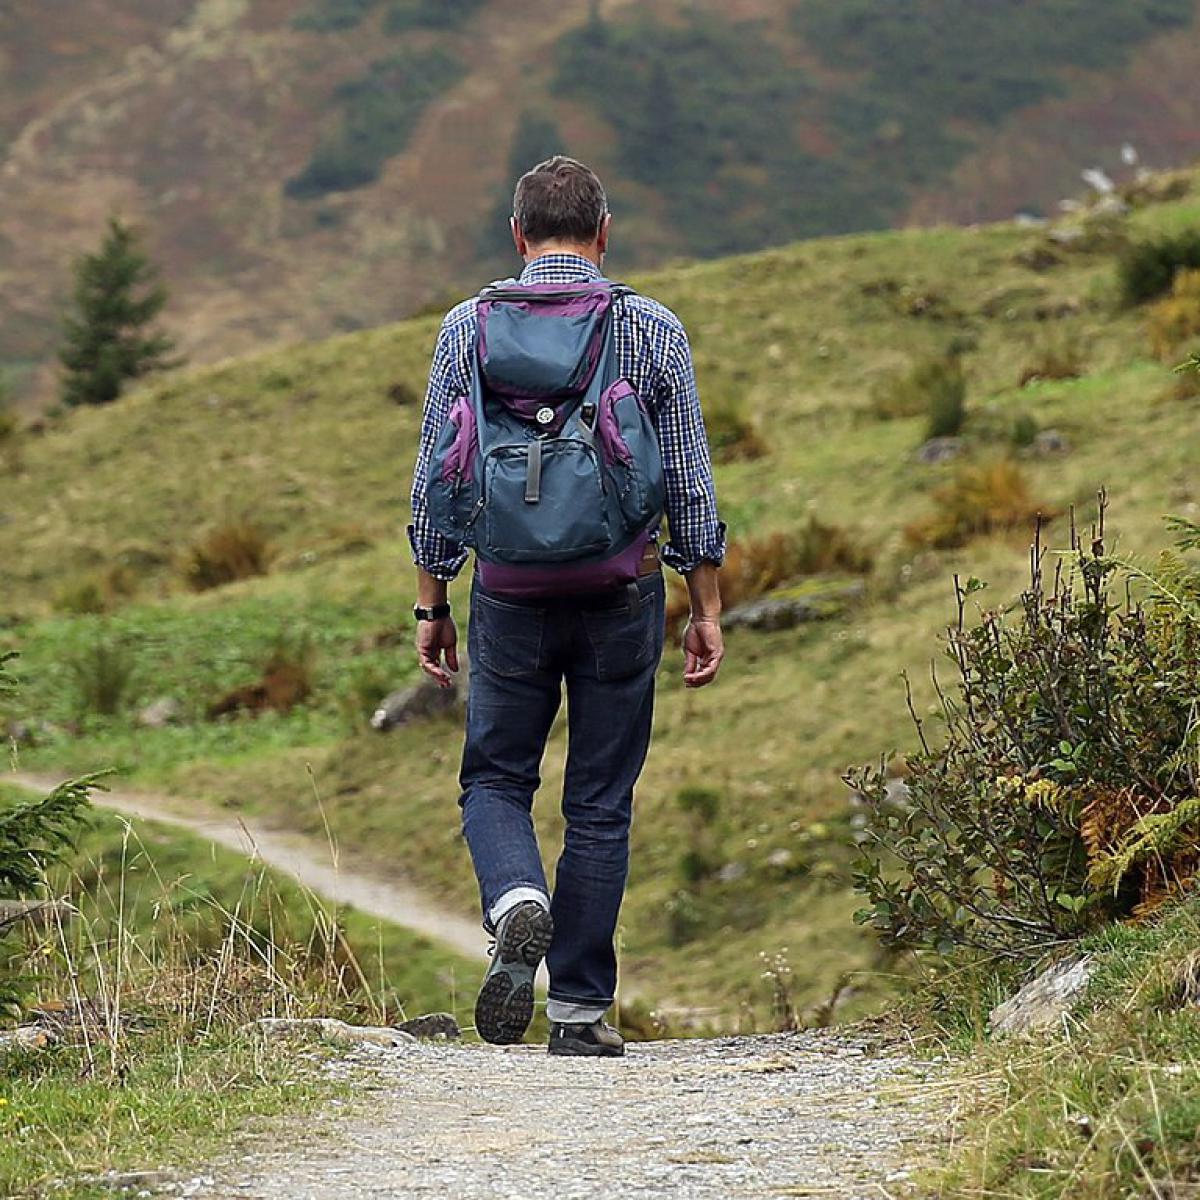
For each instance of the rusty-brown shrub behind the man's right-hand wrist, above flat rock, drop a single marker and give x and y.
(758, 566)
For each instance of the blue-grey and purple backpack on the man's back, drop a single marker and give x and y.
(550, 469)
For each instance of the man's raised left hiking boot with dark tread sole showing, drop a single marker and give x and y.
(505, 1009)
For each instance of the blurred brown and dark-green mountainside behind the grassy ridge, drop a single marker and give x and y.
(309, 167)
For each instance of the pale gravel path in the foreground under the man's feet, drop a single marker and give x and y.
(788, 1115)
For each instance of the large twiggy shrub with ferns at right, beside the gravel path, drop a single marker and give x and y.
(1066, 790)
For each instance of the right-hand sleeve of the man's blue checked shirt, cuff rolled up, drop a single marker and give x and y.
(697, 533)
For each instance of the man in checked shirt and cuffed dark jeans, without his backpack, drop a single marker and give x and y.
(605, 646)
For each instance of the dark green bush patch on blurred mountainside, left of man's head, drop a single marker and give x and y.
(380, 112)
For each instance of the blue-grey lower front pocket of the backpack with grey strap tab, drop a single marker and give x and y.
(544, 503)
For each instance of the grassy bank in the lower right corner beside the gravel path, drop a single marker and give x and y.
(1108, 1107)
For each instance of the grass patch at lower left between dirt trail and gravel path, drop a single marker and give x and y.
(177, 947)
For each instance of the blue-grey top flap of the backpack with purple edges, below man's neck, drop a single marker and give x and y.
(542, 340)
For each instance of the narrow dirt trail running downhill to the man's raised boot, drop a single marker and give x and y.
(388, 899)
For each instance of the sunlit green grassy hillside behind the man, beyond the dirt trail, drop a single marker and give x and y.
(800, 352)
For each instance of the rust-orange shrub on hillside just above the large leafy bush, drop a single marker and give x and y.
(981, 500)
